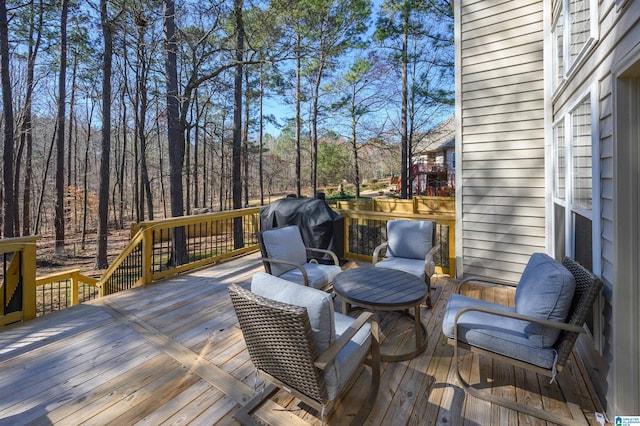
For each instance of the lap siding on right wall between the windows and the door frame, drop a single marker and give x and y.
(618, 35)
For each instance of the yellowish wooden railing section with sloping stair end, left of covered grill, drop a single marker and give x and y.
(154, 250)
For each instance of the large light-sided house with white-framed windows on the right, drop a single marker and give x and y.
(548, 158)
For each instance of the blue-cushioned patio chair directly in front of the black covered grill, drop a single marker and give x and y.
(285, 255)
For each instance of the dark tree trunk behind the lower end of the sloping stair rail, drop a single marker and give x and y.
(103, 191)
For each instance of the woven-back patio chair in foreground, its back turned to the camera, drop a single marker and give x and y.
(299, 344)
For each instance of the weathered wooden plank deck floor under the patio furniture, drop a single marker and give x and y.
(172, 353)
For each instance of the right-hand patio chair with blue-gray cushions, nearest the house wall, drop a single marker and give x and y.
(552, 301)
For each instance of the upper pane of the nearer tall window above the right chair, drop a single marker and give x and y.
(581, 152)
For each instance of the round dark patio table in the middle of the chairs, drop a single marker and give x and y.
(380, 289)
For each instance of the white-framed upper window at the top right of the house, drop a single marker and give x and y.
(573, 32)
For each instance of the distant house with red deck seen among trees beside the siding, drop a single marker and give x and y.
(434, 159)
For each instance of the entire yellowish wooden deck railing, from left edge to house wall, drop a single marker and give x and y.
(153, 254)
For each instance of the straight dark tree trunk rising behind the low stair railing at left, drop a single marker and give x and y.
(59, 207)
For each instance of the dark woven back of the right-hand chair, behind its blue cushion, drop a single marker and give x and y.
(588, 287)
